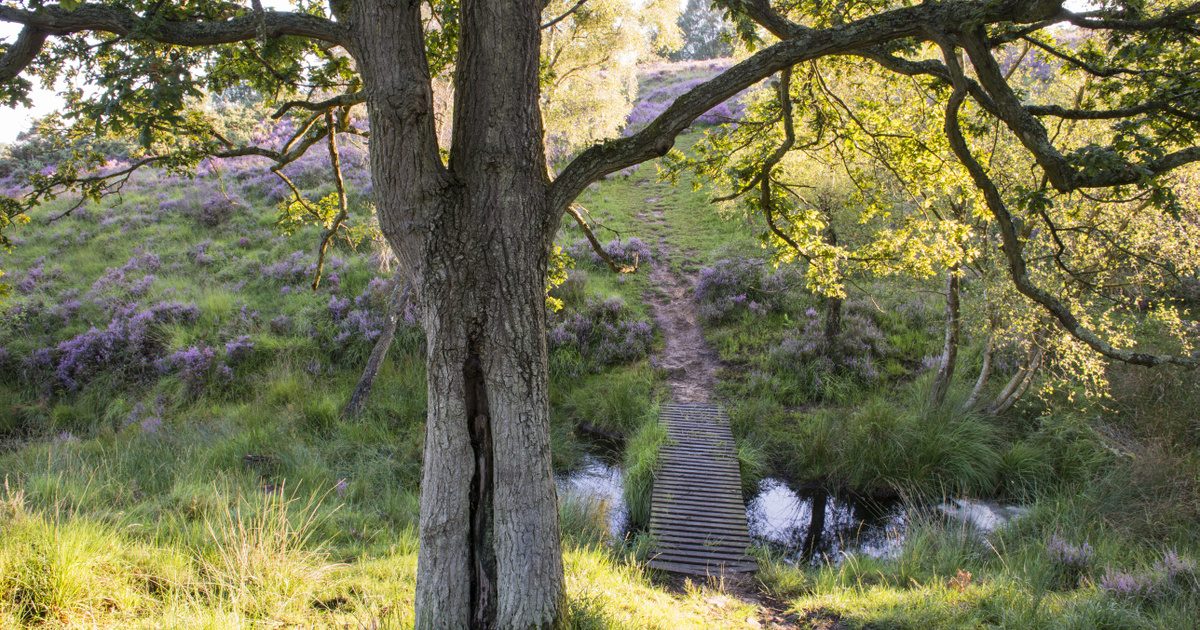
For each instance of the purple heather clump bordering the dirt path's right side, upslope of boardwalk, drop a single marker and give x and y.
(736, 286)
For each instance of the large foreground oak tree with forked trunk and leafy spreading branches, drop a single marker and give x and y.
(473, 221)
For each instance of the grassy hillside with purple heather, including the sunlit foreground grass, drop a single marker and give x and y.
(173, 453)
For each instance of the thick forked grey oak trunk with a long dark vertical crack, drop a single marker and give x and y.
(475, 237)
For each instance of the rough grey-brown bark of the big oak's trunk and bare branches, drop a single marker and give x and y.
(473, 236)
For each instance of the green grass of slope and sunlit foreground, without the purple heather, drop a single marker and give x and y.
(255, 505)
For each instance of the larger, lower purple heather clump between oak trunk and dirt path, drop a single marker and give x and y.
(603, 333)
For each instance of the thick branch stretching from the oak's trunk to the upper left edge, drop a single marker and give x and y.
(91, 17)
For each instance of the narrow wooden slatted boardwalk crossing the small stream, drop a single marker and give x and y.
(698, 517)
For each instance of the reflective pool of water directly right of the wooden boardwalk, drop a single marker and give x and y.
(782, 518)
